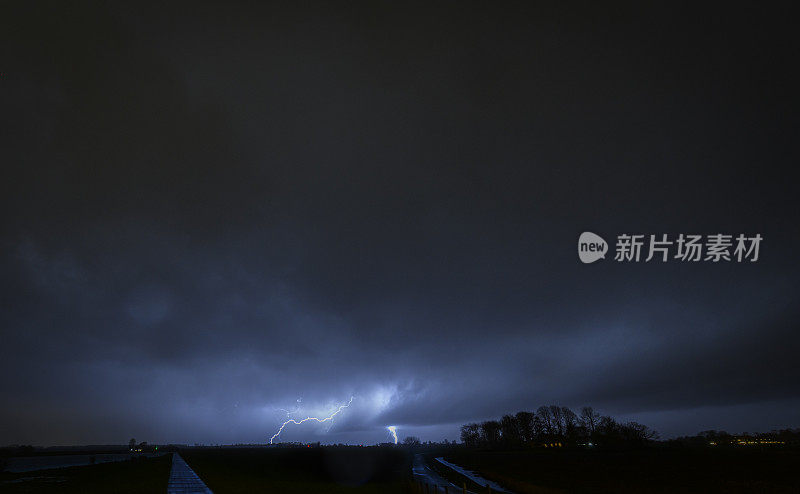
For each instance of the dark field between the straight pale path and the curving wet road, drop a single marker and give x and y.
(317, 470)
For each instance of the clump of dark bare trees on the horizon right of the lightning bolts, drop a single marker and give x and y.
(555, 426)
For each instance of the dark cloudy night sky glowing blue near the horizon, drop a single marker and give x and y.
(211, 213)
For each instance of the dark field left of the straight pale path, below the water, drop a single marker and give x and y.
(142, 475)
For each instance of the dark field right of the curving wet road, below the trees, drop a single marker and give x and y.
(652, 470)
